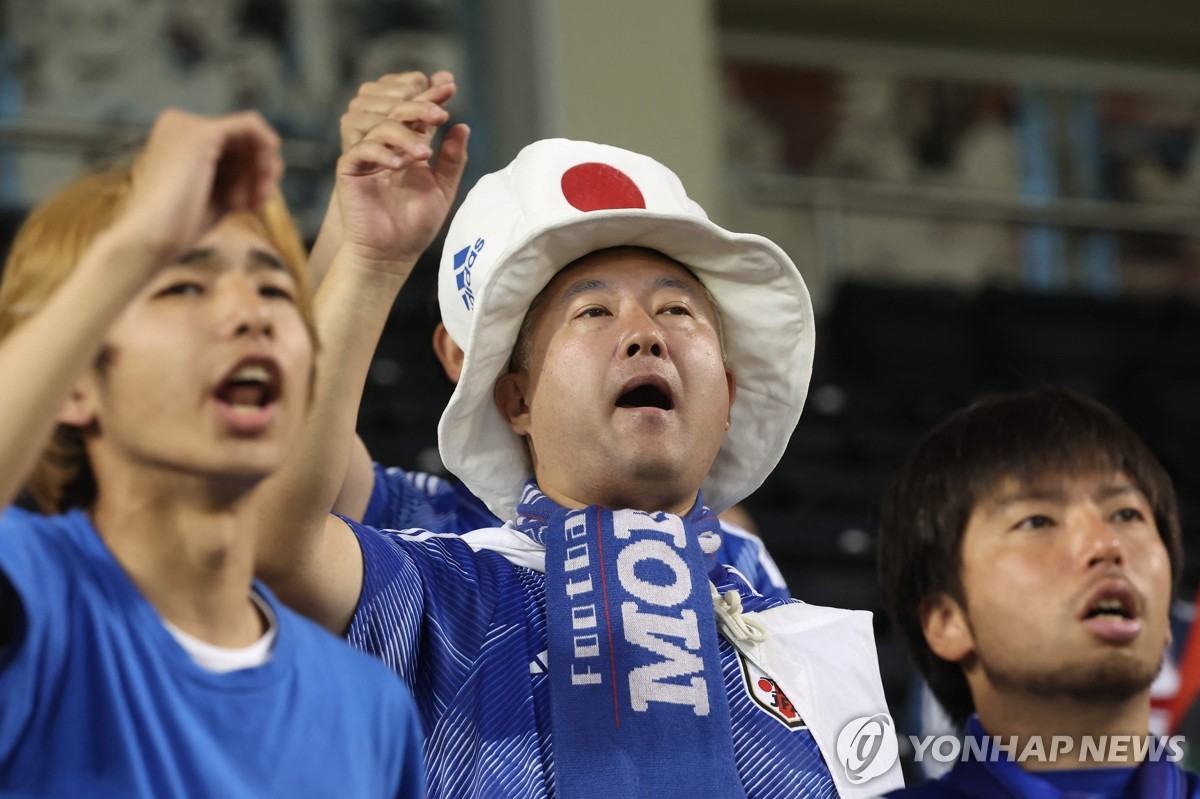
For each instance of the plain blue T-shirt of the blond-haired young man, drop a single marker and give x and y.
(99, 700)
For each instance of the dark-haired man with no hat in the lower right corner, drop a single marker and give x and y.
(1027, 555)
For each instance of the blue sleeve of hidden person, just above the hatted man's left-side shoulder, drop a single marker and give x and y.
(403, 501)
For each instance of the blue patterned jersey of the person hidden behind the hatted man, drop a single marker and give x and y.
(413, 500)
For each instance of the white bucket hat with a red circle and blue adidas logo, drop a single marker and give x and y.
(560, 201)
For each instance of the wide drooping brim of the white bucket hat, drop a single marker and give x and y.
(766, 314)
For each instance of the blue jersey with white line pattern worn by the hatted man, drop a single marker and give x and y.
(467, 632)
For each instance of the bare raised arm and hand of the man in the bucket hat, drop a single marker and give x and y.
(391, 208)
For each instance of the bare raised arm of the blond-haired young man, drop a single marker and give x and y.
(191, 171)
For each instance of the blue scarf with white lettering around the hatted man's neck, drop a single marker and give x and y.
(638, 699)
